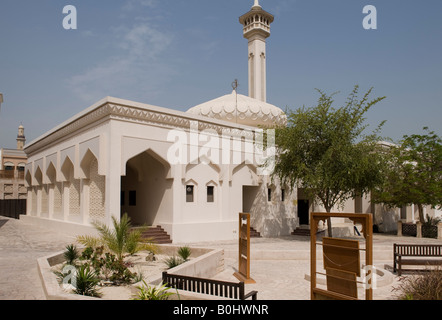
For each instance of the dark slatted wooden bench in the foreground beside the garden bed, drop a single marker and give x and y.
(233, 290)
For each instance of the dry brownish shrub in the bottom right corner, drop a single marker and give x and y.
(427, 286)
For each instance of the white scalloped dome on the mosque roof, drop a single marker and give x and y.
(240, 109)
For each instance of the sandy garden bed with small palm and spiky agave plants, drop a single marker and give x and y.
(110, 265)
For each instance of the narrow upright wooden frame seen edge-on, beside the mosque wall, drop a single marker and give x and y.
(243, 273)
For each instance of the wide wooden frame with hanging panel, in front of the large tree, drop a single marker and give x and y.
(366, 220)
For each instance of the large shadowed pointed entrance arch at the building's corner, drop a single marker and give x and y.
(146, 189)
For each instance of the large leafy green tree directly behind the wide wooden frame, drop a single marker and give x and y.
(325, 151)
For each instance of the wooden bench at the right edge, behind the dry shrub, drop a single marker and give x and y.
(426, 255)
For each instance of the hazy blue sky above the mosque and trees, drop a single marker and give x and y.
(178, 54)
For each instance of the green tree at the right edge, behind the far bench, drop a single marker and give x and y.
(415, 173)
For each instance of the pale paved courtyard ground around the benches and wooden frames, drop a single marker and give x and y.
(280, 266)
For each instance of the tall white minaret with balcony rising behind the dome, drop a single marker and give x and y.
(256, 24)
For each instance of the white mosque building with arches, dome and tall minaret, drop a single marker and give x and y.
(190, 172)
